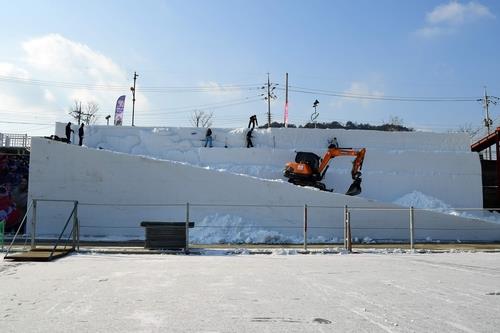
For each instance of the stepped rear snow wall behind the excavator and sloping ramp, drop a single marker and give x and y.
(440, 165)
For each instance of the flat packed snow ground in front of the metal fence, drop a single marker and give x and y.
(450, 292)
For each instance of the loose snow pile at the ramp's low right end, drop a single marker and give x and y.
(420, 200)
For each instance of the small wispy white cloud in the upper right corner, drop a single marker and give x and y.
(446, 19)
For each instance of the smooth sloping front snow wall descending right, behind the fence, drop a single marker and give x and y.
(116, 191)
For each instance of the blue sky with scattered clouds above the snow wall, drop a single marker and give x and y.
(55, 52)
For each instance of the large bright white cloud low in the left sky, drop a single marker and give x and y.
(54, 58)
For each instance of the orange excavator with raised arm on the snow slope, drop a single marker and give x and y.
(309, 169)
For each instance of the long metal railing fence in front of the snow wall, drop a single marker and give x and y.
(233, 223)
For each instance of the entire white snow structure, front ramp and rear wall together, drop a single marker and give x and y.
(117, 189)
